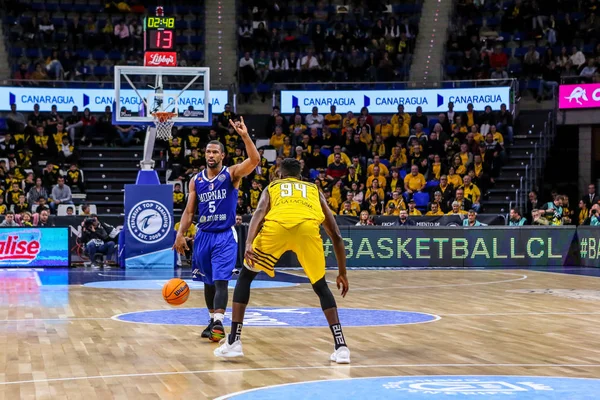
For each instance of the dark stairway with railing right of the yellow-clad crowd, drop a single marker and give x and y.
(526, 136)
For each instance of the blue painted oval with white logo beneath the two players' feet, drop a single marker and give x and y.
(281, 317)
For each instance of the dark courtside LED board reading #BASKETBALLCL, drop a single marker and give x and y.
(455, 247)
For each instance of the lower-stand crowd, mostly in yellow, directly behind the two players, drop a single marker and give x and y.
(380, 165)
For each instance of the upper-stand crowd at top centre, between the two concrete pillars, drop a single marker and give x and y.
(325, 43)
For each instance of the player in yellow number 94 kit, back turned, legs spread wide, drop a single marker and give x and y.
(292, 212)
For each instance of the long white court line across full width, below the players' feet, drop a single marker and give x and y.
(295, 368)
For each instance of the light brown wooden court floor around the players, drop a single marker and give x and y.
(491, 322)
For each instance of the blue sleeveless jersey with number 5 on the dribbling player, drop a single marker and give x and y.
(217, 201)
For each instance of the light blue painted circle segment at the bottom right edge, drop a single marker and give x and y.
(431, 387)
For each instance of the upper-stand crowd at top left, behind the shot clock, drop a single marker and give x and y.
(84, 42)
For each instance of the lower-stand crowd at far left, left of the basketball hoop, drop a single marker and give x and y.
(39, 160)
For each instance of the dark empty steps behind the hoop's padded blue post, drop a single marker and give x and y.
(107, 170)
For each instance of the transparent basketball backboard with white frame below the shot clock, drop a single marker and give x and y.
(141, 91)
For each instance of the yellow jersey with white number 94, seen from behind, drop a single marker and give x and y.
(293, 202)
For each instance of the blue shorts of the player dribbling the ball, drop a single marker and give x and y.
(214, 256)
